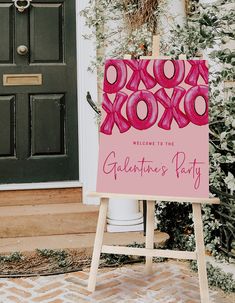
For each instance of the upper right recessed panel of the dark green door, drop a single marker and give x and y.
(46, 36)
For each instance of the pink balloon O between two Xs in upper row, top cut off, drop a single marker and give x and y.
(162, 79)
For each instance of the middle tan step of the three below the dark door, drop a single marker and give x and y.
(47, 219)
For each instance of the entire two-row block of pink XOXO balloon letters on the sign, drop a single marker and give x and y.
(173, 95)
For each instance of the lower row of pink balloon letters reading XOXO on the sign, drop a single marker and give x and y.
(171, 105)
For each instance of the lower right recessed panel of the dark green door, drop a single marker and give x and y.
(48, 122)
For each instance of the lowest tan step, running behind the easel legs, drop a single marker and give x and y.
(83, 242)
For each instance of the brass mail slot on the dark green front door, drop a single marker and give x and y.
(22, 79)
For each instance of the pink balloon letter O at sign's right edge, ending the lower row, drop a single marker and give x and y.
(189, 104)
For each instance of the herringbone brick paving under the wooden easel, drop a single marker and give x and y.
(172, 282)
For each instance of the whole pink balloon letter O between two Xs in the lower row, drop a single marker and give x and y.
(152, 109)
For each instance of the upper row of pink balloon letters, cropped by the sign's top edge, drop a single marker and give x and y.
(141, 73)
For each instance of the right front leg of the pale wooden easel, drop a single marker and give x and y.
(200, 250)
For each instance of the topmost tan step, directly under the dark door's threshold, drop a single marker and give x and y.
(40, 196)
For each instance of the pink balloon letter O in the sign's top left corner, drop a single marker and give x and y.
(120, 81)
